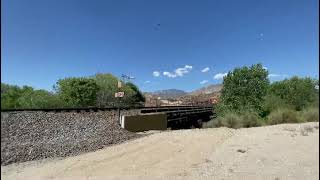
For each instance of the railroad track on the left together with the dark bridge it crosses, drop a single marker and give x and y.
(149, 118)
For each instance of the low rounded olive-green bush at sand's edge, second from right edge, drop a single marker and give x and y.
(280, 116)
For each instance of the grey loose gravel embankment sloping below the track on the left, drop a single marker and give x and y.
(27, 136)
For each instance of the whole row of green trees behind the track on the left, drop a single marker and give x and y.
(97, 90)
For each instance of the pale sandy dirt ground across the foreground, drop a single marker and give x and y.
(287, 151)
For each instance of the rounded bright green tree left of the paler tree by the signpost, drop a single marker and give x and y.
(78, 92)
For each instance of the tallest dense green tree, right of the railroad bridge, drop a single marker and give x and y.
(244, 89)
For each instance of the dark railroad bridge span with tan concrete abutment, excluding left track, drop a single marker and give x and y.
(173, 117)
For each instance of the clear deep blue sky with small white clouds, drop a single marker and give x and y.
(45, 40)
